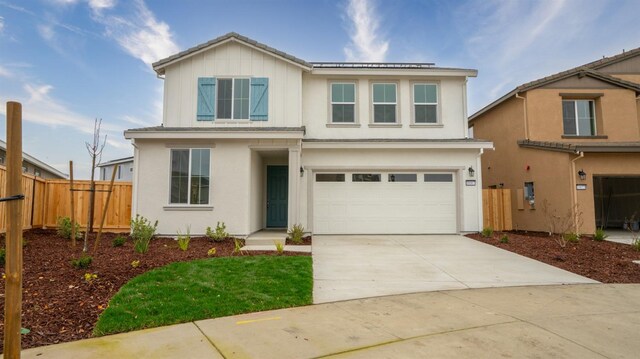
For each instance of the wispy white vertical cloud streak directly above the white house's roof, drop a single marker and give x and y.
(367, 44)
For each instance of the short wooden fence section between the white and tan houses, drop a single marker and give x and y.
(496, 209)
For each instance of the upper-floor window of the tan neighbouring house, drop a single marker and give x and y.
(578, 117)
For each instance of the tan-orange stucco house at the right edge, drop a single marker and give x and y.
(570, 140)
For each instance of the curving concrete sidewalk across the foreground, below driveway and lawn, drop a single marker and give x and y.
(572, 321)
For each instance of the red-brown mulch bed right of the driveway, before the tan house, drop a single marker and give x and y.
(606, 262)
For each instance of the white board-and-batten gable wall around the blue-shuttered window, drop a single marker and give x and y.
(232, 60)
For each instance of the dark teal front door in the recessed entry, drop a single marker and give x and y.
(277, 196)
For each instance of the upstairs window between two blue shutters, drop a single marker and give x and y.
(233, 99)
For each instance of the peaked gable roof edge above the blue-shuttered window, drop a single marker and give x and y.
(160, 65)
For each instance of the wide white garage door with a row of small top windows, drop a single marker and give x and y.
(384, 203)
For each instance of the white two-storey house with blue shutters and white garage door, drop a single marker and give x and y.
(260, 139)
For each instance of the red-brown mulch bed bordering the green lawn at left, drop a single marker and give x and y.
(58, 305)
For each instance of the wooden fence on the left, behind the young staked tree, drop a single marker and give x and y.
(46, 200)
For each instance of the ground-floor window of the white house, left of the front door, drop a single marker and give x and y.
(190, 176)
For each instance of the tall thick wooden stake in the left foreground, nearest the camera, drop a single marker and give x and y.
(13, 269)
